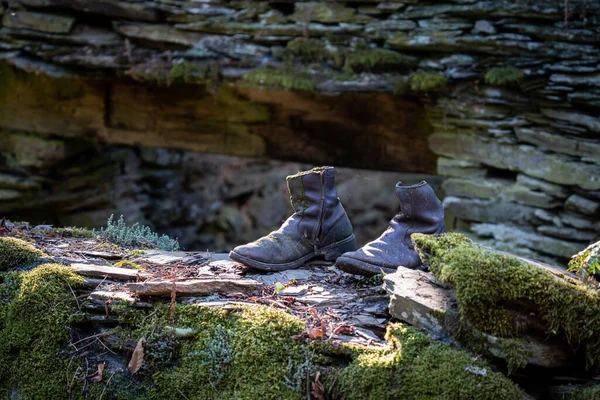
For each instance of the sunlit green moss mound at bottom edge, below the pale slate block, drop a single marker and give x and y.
(415, 367)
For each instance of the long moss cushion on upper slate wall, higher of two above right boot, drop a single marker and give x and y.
(376, 60)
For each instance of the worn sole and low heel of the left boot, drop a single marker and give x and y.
(330, 253)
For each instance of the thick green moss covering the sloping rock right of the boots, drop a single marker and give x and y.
(486, 282)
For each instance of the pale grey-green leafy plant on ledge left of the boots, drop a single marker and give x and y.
(136, 235)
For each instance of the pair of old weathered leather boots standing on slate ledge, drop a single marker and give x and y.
(320, 227)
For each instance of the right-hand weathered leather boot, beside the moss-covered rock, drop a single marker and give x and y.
(420, 211)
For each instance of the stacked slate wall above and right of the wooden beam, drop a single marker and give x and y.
(512, 88)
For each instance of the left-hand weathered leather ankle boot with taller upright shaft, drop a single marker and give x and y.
(319, 227)
